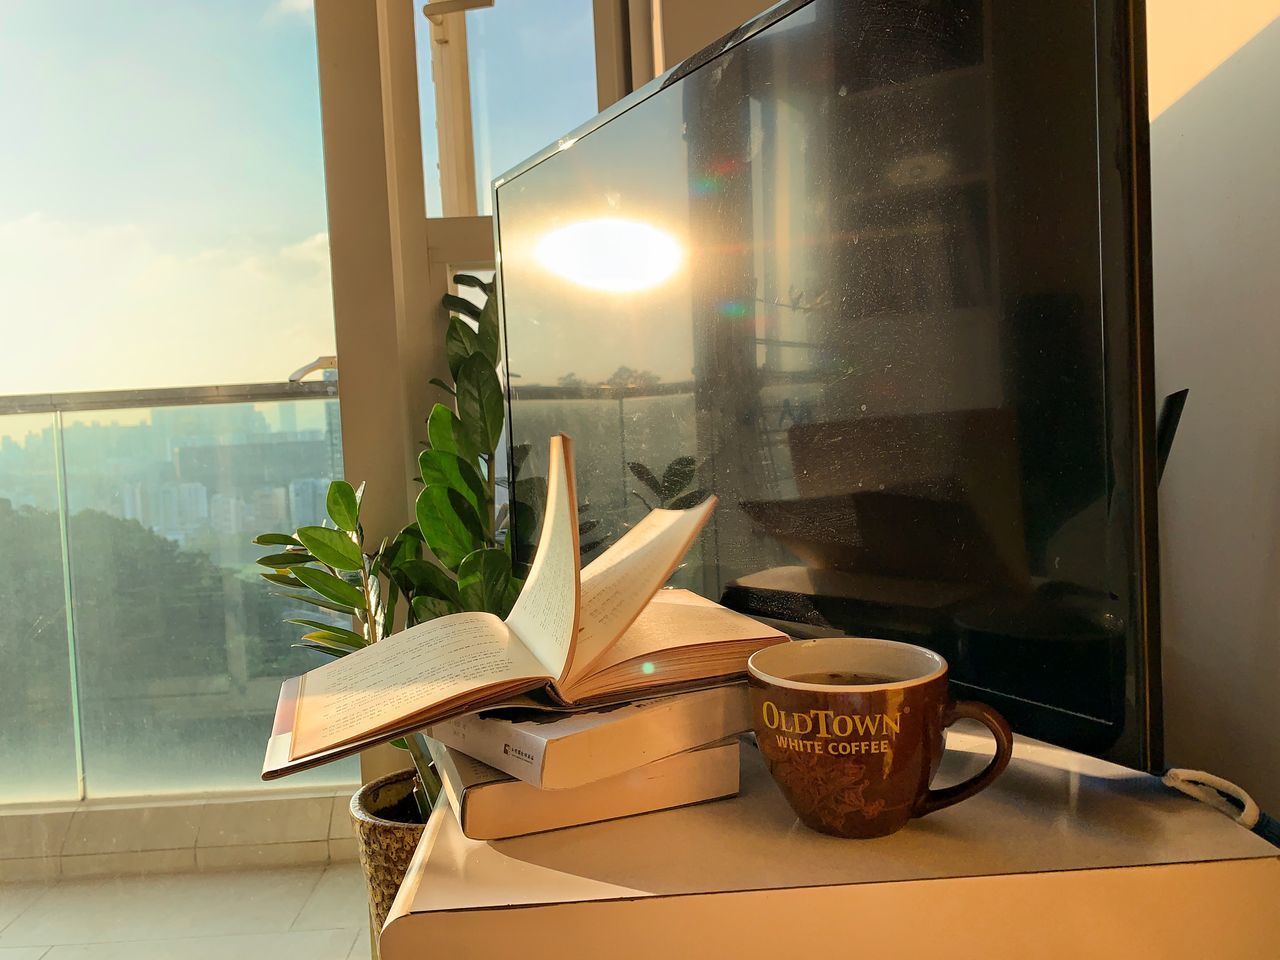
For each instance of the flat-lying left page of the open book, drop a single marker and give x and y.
(406, 675)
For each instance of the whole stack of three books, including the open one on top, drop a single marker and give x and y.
(600, 696)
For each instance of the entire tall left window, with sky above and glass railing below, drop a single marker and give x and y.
(163, 240)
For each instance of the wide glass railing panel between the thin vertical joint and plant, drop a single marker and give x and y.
(181, 646)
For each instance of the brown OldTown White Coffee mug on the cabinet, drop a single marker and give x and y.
(853, 732)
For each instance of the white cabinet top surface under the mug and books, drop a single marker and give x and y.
(1052, 811)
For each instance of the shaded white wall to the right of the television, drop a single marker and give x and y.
(1215, 156)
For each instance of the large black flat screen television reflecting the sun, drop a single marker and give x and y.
(876, 273)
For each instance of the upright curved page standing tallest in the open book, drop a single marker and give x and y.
(547, 612)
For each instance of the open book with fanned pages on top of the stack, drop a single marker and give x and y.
(577, 634)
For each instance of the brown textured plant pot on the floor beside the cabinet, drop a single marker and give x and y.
(386, 845)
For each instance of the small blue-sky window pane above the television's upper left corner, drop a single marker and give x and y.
(533, 80)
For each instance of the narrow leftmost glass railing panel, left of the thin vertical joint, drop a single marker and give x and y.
(35, 702)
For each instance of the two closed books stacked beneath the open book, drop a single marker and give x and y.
(513, 772)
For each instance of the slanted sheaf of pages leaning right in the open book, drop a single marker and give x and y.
(618, 586)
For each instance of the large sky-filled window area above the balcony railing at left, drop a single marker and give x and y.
(162, 195)
